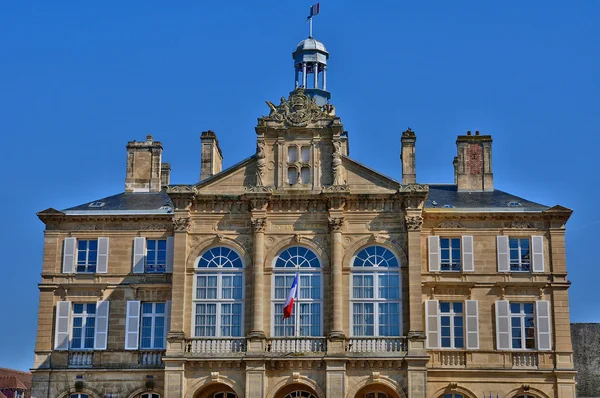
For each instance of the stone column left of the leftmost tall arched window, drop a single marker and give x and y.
(176, 336)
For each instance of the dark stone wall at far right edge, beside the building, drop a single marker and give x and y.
(586, 353)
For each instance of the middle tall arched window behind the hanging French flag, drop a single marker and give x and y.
(306, 319)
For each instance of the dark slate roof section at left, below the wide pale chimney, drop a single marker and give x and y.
(126, 203)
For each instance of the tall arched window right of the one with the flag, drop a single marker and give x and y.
(376, 293)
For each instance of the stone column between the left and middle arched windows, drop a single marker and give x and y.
(258, 226)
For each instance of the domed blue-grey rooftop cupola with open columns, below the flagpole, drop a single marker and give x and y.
(310, 69)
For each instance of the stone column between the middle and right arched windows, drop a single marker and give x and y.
(335, 226)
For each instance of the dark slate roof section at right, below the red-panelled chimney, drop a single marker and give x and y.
(447, 197)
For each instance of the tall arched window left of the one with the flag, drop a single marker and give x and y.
(219, 294)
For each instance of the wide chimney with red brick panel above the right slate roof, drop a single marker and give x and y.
(473, 164)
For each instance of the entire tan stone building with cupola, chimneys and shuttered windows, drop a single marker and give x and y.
(405, 289)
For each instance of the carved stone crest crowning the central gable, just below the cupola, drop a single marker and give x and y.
(297, 111)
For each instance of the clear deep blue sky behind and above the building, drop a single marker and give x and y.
(80, 79)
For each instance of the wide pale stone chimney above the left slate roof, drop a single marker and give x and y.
(143, 166)
